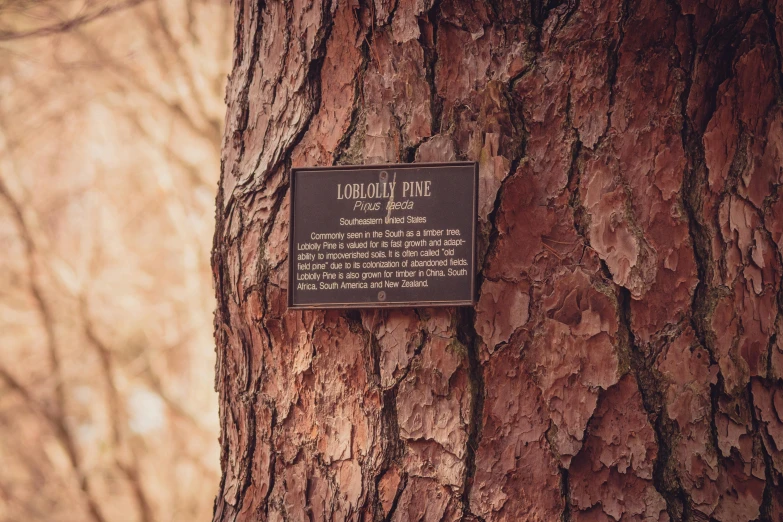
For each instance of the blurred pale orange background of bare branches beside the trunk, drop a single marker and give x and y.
(111, 116)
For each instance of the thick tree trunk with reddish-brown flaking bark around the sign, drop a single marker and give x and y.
(625, 359)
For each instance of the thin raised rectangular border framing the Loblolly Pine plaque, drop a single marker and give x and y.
(395, 304)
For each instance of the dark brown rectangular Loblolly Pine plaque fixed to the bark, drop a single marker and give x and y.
(383, 235)
